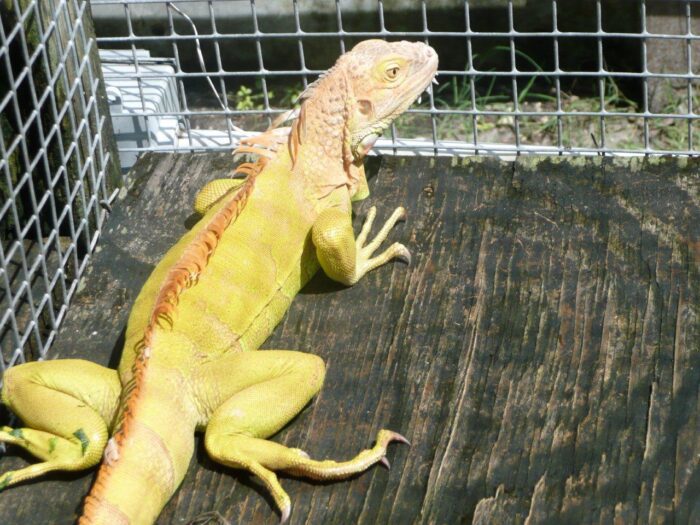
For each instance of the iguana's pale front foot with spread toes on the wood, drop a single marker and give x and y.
(365, 262)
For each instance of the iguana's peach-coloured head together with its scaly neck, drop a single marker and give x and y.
(348, 107)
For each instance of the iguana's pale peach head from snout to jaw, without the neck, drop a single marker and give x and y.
(385, 78)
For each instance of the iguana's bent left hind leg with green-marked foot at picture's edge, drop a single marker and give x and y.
(67, 406)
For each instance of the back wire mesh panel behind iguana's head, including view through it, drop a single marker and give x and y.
(536, 76)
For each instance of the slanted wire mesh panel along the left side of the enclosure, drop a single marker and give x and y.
(50, 216)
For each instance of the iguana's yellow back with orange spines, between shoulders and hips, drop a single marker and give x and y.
(226, 284)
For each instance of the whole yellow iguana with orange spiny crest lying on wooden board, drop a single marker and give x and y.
(218, 293)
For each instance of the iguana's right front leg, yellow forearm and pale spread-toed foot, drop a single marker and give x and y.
(343, 257)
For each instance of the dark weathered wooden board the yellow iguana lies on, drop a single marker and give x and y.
(542, 352)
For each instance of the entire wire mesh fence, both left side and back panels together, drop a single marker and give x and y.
(516, 77)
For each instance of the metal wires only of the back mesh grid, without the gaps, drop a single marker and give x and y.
(560, 114)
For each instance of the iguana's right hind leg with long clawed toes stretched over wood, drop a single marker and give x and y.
(236, 434)
